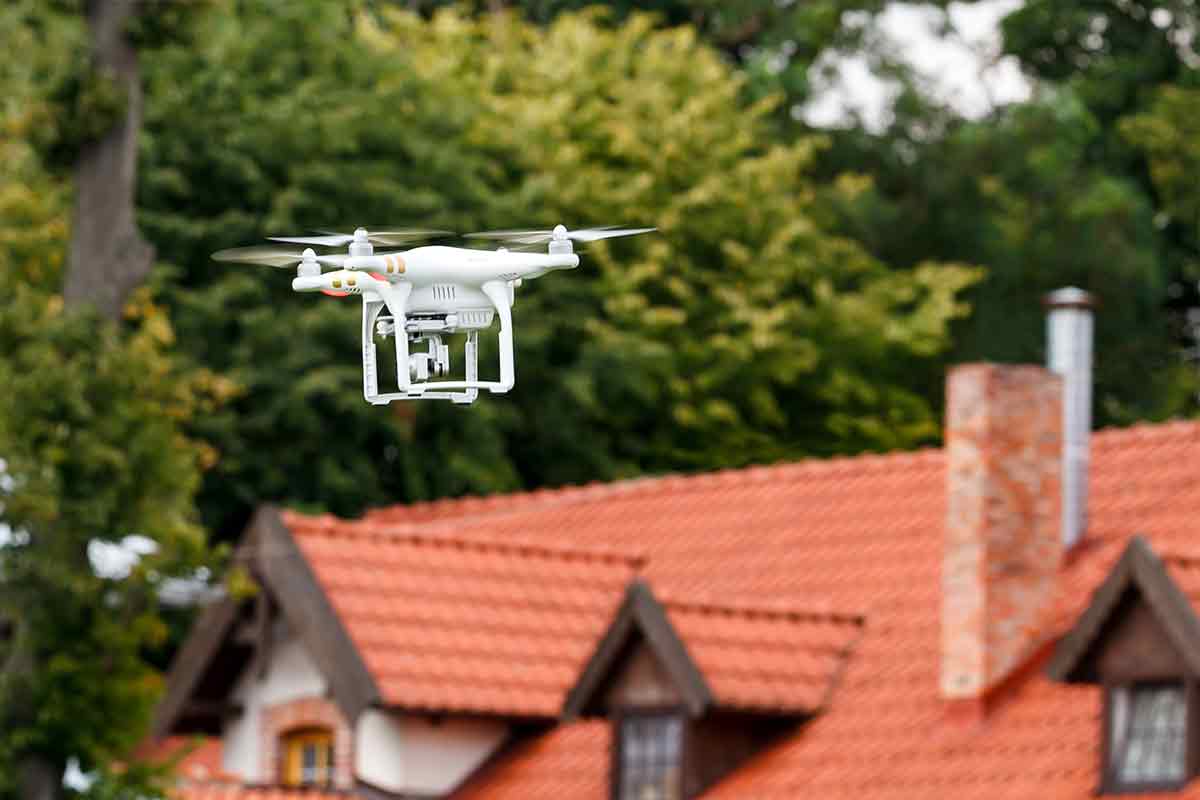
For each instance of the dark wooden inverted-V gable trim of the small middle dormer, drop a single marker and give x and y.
(640, 613)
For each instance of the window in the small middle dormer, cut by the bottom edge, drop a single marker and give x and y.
(649, 759)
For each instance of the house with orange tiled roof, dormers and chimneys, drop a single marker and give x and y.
(1015, 616)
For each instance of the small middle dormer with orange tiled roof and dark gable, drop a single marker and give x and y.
(694, 689)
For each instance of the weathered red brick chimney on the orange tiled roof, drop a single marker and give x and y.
(1003, 549)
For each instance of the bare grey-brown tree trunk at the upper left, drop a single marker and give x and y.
(109, 257)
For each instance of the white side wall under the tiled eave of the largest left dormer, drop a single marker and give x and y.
(407, 754)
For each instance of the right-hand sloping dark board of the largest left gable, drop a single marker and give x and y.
(309, 612)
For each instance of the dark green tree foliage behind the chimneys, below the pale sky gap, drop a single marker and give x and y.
(1021, 195)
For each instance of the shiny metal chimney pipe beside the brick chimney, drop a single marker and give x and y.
(1070, 356)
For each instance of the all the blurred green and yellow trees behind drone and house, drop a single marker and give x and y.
(805, 294)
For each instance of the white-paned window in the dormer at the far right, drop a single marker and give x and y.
(1148, 736)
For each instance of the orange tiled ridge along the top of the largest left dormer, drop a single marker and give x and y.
(440, 534)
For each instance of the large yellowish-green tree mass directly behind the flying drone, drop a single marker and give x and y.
(748, 330)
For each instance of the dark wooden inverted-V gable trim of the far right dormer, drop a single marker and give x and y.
(1142, 570)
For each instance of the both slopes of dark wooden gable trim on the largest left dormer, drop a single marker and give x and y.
(289, 588)
